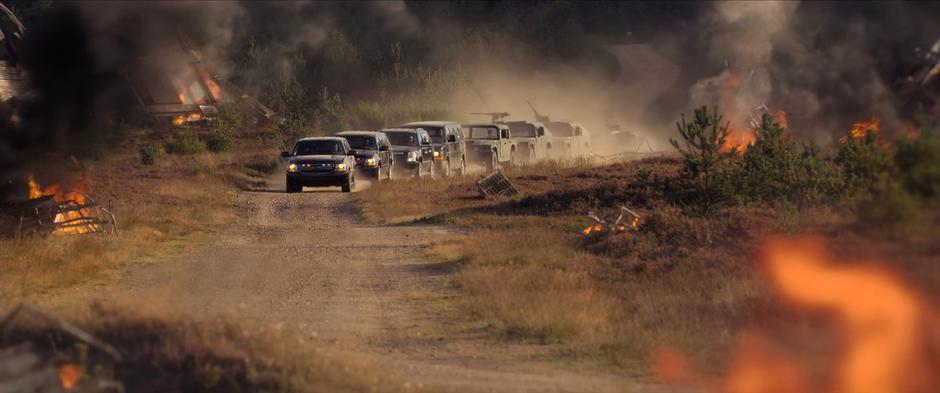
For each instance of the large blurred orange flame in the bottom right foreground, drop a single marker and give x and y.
(887, 334)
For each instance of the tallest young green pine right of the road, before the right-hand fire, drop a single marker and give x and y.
(704, 184)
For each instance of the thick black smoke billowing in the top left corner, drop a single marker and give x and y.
(78, 60)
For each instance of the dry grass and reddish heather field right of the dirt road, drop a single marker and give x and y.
(528, 273)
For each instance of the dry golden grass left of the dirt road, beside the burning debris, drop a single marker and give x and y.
(177, 202)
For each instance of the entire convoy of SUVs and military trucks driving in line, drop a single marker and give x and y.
(429, 148)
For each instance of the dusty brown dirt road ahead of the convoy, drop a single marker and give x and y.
(305, 262)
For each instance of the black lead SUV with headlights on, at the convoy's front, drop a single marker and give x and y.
(320, 162)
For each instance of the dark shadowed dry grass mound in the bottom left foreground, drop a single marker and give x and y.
(164, 353)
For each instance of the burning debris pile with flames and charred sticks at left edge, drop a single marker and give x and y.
(58, 209)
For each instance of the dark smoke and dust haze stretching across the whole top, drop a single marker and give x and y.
(637, 64)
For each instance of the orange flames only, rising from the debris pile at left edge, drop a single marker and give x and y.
(75, 190)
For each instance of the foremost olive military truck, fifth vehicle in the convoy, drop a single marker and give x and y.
(490, 145)
